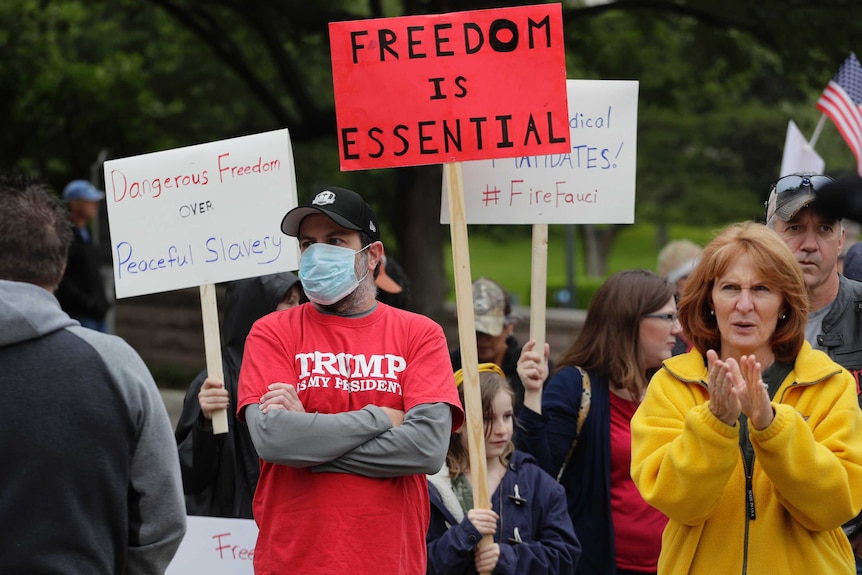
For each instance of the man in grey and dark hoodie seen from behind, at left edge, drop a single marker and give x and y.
(91, 481)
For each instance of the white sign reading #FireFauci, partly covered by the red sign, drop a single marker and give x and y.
(592, 182)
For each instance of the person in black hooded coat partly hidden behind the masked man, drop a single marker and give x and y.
(220, 472)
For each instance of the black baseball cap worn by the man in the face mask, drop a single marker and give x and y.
(344, 207)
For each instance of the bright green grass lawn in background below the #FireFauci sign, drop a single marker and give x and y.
(505, 257)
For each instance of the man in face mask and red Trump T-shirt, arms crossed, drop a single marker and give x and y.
(349, 403)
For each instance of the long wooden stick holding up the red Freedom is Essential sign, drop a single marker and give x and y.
(467, 339)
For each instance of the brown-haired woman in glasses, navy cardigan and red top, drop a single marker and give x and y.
(630, 329)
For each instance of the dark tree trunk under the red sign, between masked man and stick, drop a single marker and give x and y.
(422, 240)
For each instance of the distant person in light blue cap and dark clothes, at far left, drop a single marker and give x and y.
(81, 292)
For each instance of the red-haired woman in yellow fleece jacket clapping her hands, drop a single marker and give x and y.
(751, 443)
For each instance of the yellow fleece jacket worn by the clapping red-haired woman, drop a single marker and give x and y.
(806, 481)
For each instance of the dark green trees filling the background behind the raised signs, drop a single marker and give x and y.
(718, 81)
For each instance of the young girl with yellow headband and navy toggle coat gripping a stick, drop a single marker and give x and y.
(531, 529)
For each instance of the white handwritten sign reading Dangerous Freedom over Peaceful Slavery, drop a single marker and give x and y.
(201, 214)
